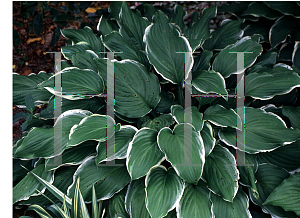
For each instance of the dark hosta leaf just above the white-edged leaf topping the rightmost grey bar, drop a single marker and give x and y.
(228, 33)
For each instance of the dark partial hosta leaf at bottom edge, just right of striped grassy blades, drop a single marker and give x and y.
(116, 205)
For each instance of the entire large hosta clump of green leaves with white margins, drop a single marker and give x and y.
(164, 163)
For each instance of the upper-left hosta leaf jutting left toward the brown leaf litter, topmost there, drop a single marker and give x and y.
(84, 35)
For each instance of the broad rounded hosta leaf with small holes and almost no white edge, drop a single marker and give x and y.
(137, 92)
